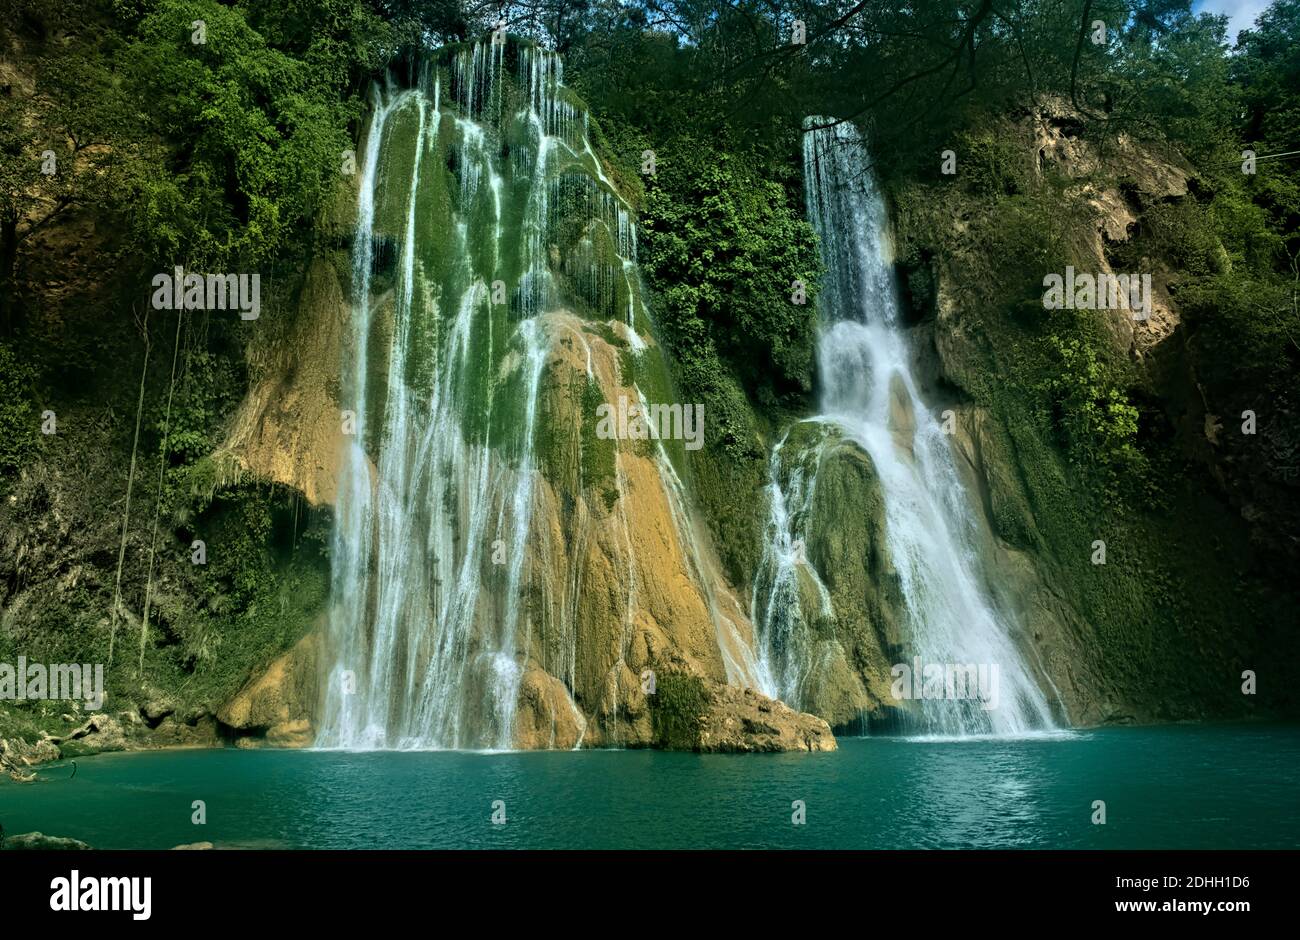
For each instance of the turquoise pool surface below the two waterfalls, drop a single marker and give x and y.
(1169, 787)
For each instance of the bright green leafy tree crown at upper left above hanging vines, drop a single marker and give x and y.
(259, 119)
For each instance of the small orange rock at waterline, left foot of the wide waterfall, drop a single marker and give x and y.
(280, 704)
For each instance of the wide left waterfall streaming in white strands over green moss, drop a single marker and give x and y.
(466, 177)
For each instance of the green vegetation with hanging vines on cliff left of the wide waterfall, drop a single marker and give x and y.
(215, 150)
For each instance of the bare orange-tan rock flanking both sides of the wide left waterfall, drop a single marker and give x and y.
(619, 581)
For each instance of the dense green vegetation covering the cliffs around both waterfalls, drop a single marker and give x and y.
(133, 141)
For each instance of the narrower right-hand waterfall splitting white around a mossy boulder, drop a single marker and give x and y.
(870, 397)
